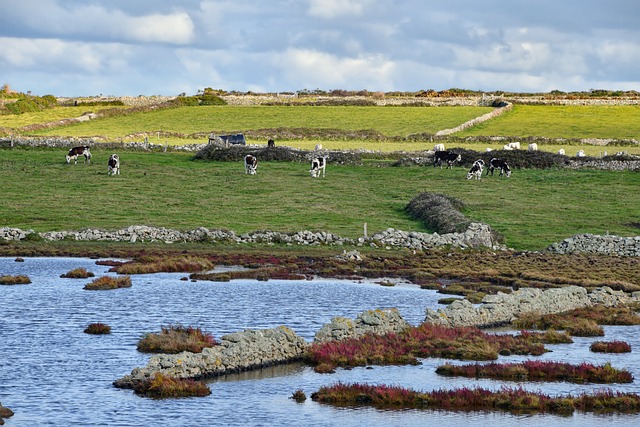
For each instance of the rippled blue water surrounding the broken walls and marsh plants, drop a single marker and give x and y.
(51, 373)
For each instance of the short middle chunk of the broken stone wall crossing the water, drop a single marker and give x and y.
(379, 322)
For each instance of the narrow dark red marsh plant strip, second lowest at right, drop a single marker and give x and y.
(540, 371)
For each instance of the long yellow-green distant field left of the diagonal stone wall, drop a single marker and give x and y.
(390, 121)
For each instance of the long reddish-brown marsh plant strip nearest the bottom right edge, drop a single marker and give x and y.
(514, 400)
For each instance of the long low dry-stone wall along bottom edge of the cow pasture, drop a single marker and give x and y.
(477, 235)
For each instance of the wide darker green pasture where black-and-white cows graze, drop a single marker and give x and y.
(532, 209)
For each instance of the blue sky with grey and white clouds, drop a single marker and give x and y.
(159, 47)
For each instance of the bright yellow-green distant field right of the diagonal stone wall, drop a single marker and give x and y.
(555, 121)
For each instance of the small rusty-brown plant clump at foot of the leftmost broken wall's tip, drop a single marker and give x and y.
(163, 386)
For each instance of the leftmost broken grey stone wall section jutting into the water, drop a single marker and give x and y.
(241, 351)
